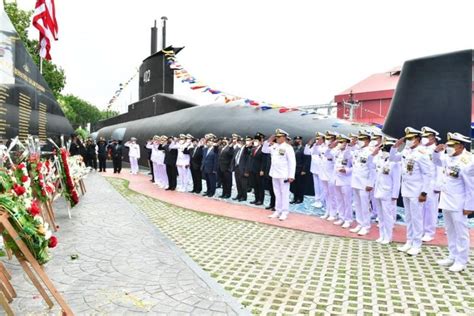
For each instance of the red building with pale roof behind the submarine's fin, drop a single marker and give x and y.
(371, 98)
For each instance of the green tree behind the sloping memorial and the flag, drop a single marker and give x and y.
(21, 20)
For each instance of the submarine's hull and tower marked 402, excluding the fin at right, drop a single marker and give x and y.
(160, 112)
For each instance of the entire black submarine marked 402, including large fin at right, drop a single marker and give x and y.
(434, 91)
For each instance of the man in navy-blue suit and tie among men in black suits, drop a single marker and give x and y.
(210, 157)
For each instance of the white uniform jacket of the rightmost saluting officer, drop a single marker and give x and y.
(457, 189)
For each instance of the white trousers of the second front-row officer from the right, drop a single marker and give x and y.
(414, 220)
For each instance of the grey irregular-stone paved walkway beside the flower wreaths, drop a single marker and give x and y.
(125, 265)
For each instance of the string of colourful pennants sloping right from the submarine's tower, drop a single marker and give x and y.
(182, 74)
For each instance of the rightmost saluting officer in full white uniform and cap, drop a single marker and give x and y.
(457, 197)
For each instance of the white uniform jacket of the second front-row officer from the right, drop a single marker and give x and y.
(416, 170)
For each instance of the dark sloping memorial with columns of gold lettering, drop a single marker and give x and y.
(27, 104)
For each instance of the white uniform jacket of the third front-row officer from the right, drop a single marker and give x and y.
(388, 177)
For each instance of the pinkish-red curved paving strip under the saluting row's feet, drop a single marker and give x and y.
(141, 183)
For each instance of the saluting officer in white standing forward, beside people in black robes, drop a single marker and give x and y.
(282, 171)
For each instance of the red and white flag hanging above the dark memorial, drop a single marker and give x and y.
(44, 19)
